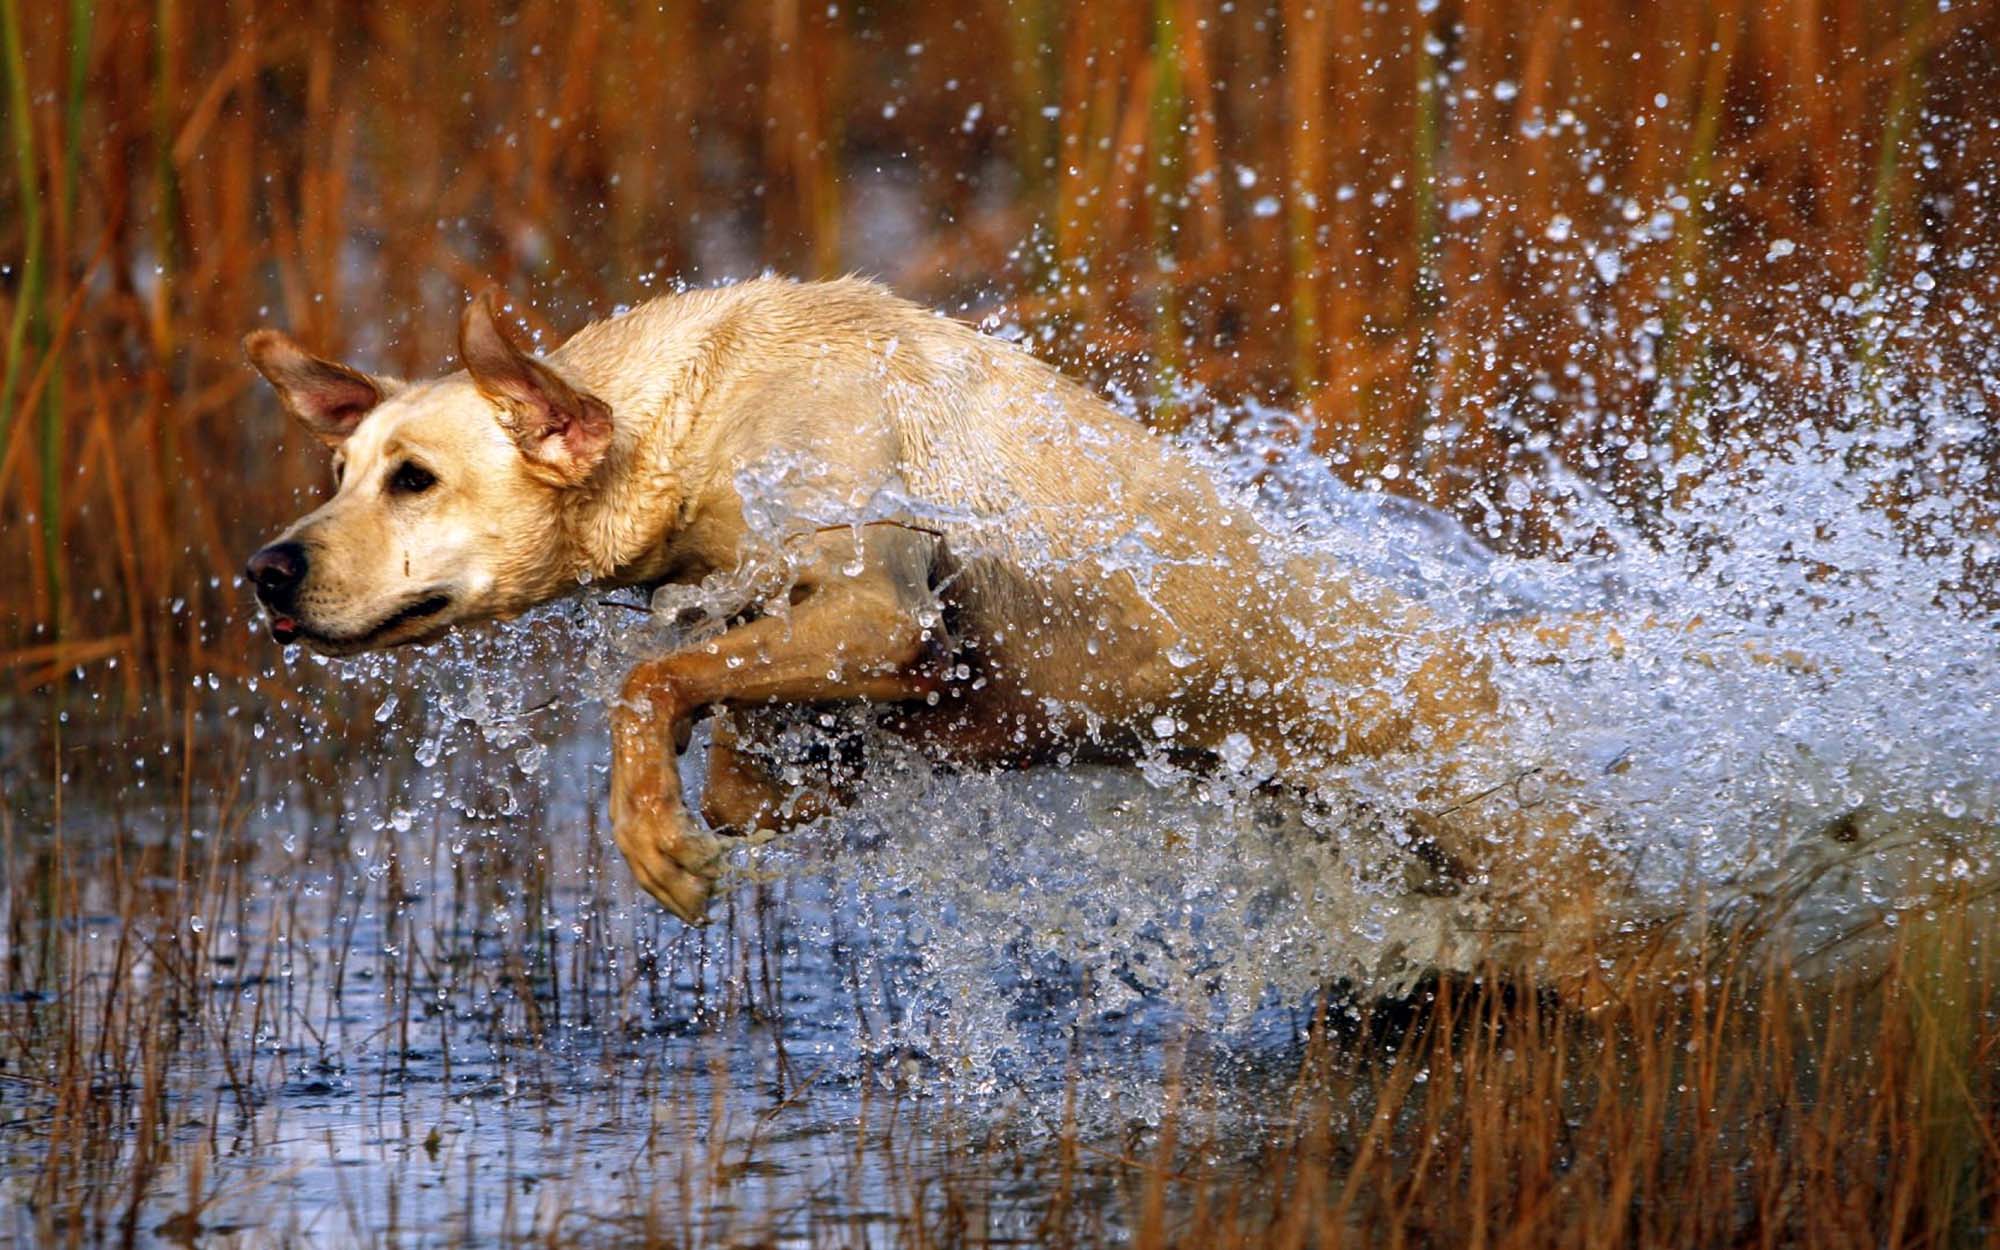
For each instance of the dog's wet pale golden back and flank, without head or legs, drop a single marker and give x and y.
(1105, 587)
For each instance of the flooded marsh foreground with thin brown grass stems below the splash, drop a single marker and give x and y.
(165, 1077)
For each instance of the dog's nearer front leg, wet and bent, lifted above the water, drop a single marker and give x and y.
(847, 639)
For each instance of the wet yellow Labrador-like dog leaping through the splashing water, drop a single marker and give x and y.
(915, 515)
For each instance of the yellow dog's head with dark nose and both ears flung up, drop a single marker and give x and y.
(449, 495)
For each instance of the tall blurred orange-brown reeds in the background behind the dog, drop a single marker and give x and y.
(1343, 207)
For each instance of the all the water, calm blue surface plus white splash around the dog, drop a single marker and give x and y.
(415, 991)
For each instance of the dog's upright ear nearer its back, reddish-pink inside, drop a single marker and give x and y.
(561, 431)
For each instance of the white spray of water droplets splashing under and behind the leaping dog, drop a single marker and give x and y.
(1773, 699)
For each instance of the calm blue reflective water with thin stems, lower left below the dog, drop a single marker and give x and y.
(407, 1015)
